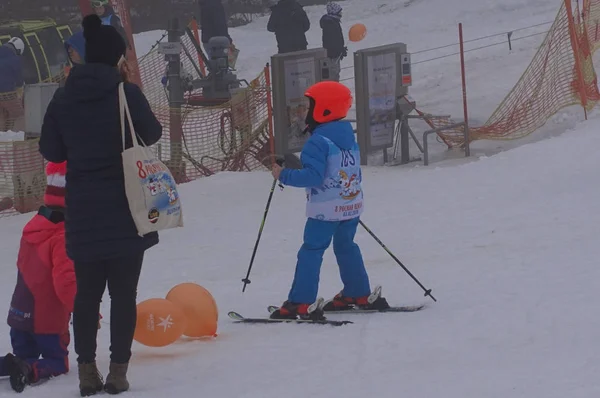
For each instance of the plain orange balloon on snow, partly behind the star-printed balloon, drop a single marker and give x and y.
(199, 306)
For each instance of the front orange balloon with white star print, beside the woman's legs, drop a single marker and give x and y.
(159, 322)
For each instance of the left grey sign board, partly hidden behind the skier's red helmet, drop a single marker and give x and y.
(293, 73)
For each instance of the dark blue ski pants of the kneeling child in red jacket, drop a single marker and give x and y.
(47, 354)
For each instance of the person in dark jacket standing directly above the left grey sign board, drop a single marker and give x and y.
(290, 23)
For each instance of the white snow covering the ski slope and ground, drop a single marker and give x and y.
(506, 242)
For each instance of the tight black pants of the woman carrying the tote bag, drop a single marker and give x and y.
(122, 275)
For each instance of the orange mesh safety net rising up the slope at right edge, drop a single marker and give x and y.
(561, 74)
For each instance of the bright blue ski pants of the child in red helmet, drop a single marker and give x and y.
(317, 238)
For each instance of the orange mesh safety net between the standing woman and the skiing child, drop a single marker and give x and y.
(231, 136)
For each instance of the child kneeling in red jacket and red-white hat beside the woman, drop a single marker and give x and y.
(44, 294)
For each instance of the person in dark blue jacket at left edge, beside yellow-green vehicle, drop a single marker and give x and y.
(11, 85)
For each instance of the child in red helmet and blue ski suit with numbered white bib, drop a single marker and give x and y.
(332, 177)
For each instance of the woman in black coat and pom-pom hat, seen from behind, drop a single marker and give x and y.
(82, 126)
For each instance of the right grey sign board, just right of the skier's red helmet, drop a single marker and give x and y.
(382, 75)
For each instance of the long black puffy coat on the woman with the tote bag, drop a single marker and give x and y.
(82, 126)
